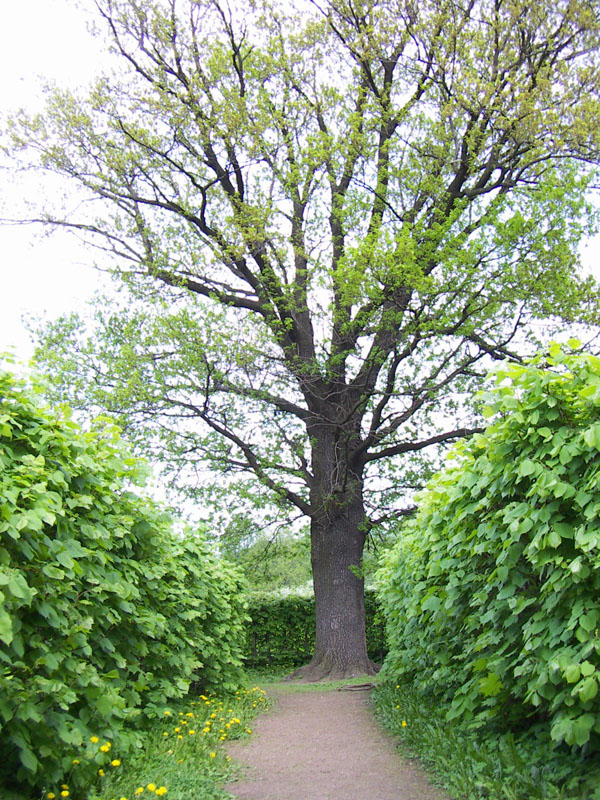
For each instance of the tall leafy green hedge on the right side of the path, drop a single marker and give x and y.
(492, 599)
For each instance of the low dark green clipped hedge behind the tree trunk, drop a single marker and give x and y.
(282, 630)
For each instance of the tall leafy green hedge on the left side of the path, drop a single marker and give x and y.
(106, 614)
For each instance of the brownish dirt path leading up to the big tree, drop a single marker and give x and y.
(324, 745)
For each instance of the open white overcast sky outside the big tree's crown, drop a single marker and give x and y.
(47, 276)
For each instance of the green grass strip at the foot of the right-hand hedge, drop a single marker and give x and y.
(484, 765)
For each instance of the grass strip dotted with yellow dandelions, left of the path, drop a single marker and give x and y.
(182, 752)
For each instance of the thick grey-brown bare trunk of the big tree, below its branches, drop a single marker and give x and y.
(338, 534)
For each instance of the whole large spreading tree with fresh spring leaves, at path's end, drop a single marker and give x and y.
(327, 222)
